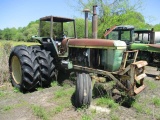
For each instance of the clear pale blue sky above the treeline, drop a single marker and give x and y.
(19, 13)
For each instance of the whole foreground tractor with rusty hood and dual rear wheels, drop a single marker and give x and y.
(95, 62)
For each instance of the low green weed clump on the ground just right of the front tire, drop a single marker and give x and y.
(107, 101)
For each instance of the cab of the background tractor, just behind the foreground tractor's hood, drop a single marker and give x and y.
(122, 32)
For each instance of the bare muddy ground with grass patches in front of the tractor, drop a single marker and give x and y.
(56, 103)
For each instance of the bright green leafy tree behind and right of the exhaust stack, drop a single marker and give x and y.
(115, 12)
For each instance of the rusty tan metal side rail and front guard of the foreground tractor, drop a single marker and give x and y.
(134, 73)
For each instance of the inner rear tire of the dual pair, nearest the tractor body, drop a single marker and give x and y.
(47, 68)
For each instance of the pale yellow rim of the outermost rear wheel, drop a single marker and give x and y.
(16, 70)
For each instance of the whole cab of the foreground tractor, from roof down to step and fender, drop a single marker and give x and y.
(53, 30)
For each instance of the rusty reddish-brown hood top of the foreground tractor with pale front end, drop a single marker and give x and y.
(94, 43)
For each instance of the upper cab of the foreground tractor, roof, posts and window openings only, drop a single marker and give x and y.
(60, 27)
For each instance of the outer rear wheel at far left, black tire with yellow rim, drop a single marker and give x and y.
(23, 67)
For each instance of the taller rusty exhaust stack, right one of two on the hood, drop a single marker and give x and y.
(94, 22)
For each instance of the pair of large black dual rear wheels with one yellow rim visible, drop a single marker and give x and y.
(30, 67)
